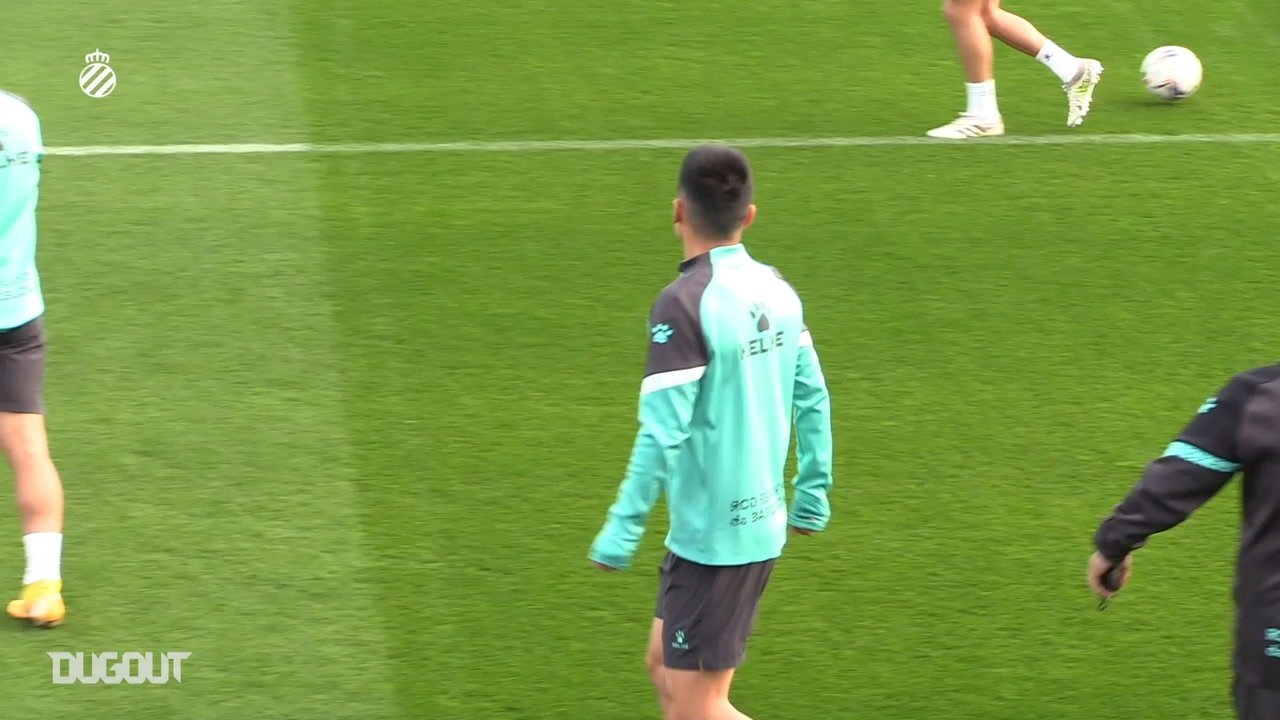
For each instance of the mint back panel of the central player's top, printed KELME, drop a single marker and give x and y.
(730, 489)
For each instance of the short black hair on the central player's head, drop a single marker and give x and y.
(716, 184)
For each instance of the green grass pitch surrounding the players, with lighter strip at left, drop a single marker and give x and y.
(345, 426)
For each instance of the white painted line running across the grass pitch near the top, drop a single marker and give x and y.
(673, 144)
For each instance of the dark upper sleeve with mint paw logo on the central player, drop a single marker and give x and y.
(676, 340)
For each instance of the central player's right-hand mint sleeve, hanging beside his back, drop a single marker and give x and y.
(811, 509)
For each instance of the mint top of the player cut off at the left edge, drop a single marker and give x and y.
(21, 152)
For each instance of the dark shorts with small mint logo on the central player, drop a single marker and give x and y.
(708, 612)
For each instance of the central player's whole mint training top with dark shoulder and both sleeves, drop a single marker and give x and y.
(732, 368)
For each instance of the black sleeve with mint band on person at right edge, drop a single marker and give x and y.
(1191, 472)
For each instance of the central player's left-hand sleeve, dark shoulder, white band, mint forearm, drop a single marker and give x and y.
(678, 362)
